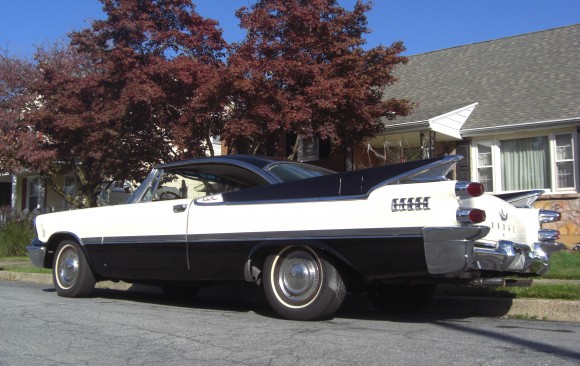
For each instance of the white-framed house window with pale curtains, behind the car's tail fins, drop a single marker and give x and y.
(537, 162)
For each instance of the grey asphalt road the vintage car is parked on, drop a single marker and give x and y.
(129, 328)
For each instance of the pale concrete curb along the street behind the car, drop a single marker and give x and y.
(539, 309)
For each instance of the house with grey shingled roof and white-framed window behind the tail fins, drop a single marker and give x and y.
(511, 106)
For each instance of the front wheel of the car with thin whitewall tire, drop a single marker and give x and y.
(71, 274)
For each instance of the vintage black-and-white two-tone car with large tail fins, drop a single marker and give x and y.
(306, 234)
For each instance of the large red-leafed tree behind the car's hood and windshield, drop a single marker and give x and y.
(141, 87)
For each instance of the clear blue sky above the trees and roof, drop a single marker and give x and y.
(423, 25)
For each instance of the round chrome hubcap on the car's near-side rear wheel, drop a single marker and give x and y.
(299, 276)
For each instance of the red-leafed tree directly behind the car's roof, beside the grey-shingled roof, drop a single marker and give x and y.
(302, 70)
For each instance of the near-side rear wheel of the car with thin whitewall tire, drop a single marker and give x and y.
(301, 285)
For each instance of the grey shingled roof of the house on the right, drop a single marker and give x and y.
(533, 77)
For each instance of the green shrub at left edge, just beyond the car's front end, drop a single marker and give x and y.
(16, 232)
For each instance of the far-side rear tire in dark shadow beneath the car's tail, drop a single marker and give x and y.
(401, 298)
